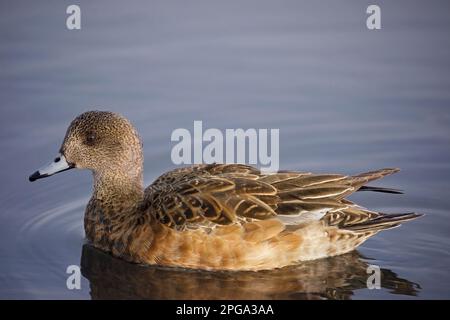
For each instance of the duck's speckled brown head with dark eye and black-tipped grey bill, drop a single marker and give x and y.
(101, 141)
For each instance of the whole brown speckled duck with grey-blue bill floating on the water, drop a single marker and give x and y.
(218, 216)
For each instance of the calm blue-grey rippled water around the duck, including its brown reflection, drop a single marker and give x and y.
(344, 98)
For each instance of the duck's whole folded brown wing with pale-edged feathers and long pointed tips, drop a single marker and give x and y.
(204, 196)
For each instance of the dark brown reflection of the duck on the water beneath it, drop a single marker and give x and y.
(332, 278)
